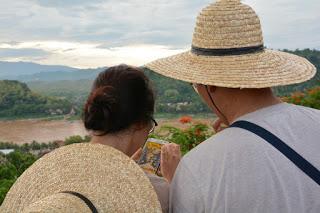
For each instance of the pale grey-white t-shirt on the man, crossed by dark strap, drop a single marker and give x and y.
(237, 171)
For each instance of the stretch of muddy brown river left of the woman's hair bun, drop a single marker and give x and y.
(26, 131)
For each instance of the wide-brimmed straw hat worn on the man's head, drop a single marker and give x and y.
(228, 51)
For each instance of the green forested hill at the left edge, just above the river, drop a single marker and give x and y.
(17, 100)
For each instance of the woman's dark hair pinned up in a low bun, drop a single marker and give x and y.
(120, 96)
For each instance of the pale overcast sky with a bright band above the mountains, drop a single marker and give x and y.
(95, 33)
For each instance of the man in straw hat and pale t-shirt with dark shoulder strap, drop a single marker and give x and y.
(268, 159)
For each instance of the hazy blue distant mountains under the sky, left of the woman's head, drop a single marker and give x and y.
(27, 72)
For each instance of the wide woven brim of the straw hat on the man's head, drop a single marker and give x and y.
(264, 69)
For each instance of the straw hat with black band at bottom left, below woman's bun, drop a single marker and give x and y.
(82, 178)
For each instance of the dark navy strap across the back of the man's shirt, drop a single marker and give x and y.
(277, 143)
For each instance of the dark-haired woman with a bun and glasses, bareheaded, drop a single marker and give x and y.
(119, 113)
